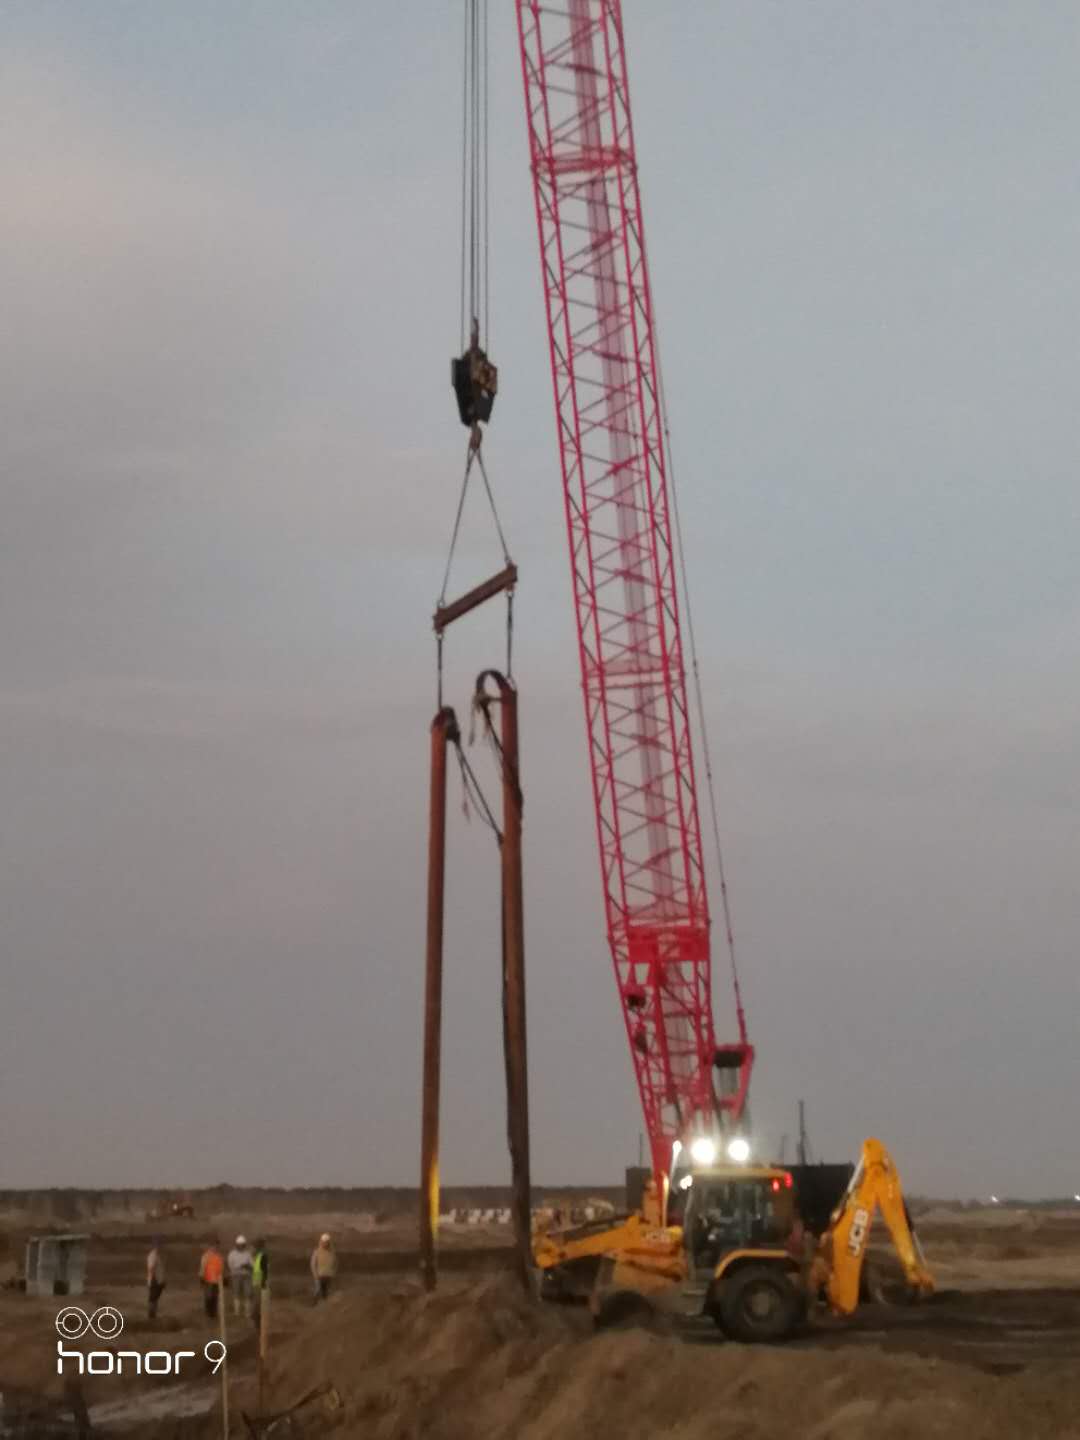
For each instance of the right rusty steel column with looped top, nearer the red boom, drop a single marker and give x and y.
(515, 973)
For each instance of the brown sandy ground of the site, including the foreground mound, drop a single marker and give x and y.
(994, 1354)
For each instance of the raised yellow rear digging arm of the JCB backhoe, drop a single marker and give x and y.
(839, 1265)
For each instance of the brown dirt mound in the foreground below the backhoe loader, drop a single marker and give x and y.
(483, 1364)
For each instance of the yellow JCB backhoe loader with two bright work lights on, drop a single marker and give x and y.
(739, 1252)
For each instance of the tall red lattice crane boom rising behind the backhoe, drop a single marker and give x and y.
(623, 559)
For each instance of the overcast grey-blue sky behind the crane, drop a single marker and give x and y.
(230, 464)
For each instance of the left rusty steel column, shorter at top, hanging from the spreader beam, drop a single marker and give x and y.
(444, 729)
